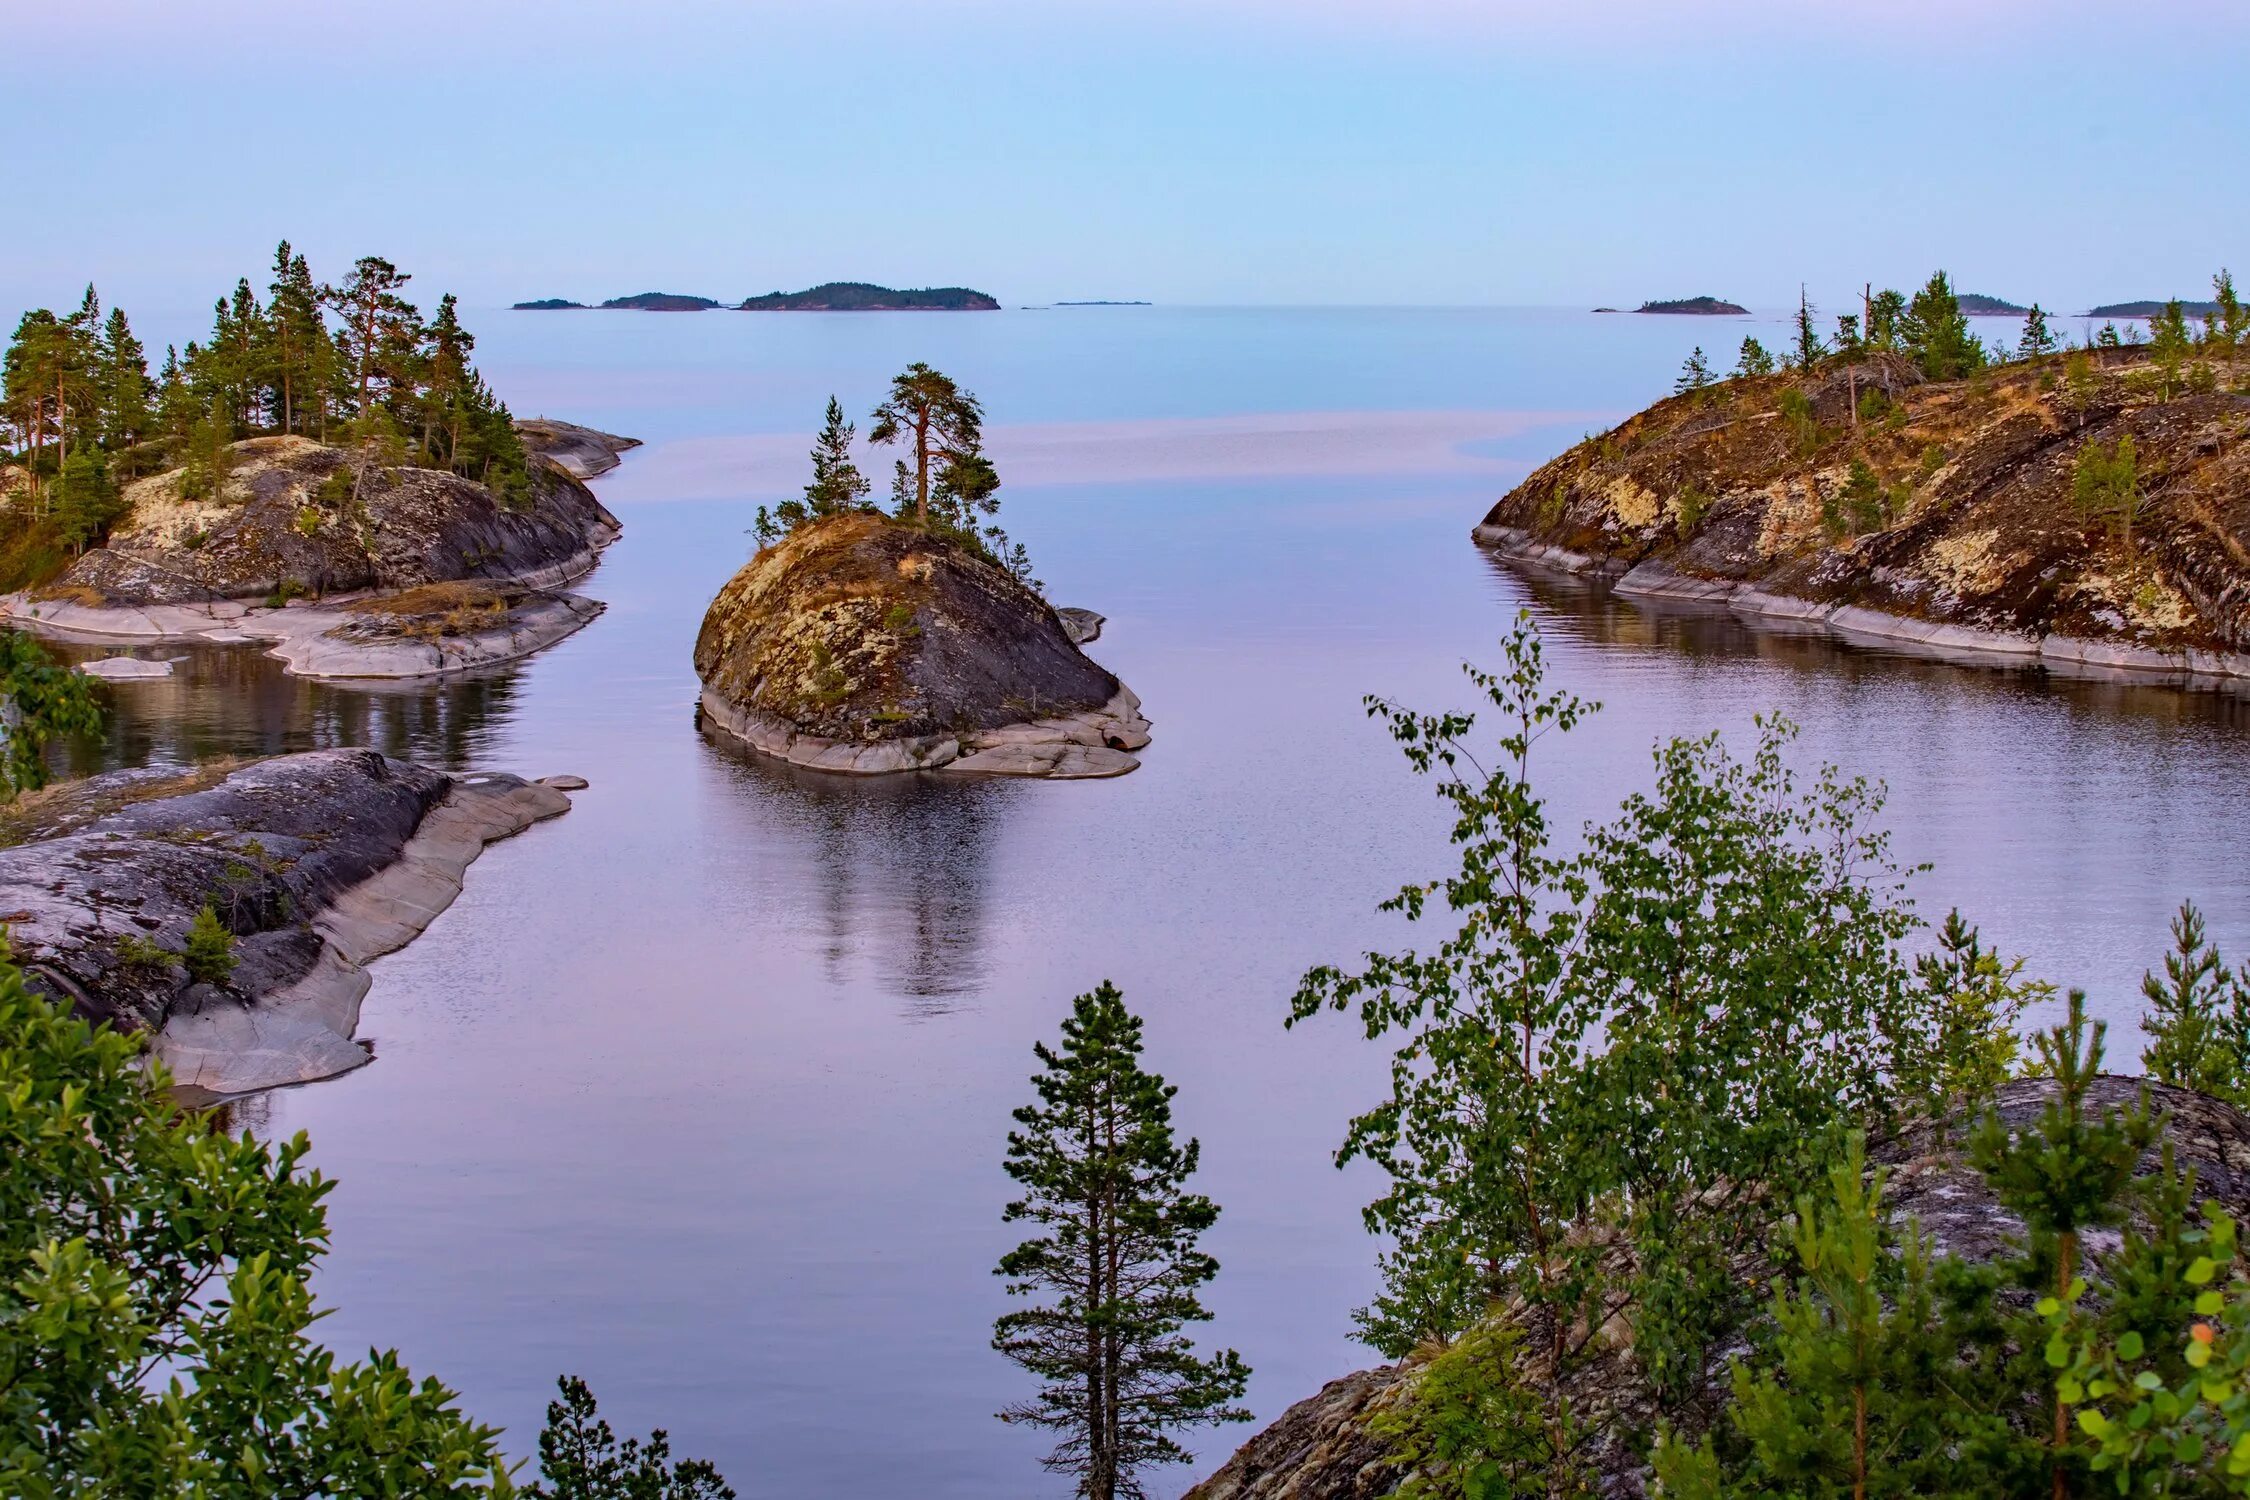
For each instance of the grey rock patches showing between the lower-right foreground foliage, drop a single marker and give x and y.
(1324, 1449)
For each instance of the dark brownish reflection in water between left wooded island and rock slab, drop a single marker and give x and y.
(235, 701)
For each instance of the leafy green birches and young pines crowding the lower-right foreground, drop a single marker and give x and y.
(1637, 1081)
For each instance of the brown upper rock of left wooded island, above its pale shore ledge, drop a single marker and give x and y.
(278, 525)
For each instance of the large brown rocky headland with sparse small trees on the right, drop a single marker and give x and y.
(1898, 478)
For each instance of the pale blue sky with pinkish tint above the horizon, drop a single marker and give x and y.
(1198, 152)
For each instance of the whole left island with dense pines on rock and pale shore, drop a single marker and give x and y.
(327, 471)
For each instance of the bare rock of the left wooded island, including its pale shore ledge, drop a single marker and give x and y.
(404, 572)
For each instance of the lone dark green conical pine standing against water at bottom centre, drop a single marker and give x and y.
(1117, 1256)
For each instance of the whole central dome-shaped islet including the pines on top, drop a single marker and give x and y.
(908, 638)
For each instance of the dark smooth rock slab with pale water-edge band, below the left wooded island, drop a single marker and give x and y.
(314, 862)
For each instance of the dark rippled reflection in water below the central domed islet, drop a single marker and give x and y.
(897, 869)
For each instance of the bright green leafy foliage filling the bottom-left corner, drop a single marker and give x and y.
(156, 1312)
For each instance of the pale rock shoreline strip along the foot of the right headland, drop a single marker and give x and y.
(1959, 644)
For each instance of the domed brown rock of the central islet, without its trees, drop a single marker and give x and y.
(861, 644)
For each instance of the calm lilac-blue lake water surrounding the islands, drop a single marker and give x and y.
(701, 1090)
